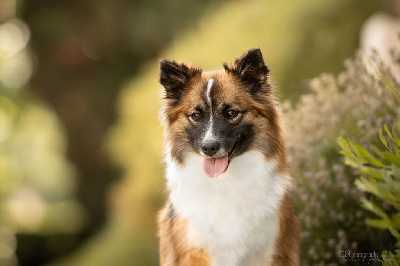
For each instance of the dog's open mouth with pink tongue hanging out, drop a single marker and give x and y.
(214, 167)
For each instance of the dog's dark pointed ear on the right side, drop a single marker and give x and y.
(251, 70)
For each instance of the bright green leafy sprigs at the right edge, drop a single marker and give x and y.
(381, 179)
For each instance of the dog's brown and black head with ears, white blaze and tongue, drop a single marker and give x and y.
(220, 114)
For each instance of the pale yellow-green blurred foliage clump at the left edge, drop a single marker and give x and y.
(34, 170)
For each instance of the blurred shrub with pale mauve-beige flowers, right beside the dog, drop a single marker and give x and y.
(355, 105)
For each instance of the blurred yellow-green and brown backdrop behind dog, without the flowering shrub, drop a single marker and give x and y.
(81, 174)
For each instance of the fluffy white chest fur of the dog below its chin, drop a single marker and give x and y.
(235, 216)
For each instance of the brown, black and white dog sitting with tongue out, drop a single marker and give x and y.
(226, 168)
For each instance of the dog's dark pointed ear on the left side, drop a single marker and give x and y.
(174, 77)
